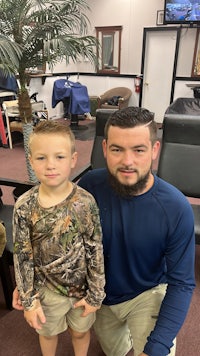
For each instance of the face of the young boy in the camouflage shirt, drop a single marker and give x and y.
(51, 158)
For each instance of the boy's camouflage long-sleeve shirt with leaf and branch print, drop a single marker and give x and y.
(59, 247)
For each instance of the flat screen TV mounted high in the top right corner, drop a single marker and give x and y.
(182, 12)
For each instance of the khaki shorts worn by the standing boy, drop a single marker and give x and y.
(60, 314)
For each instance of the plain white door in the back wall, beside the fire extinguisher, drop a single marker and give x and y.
(159, 53)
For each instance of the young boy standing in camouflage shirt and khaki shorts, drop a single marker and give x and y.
(58, 255)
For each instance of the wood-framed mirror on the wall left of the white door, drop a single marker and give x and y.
(109, 50)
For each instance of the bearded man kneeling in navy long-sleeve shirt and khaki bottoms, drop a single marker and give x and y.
(148, 238)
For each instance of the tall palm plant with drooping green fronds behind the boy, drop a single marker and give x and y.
(45, 31)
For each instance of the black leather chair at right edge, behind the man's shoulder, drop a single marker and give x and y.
(179, 162)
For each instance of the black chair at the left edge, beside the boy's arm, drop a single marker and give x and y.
(6, 213)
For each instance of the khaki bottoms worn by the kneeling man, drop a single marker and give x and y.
(125, 325)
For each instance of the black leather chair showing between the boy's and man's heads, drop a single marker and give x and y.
(97, 158)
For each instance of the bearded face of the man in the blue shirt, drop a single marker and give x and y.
(129, 154)
